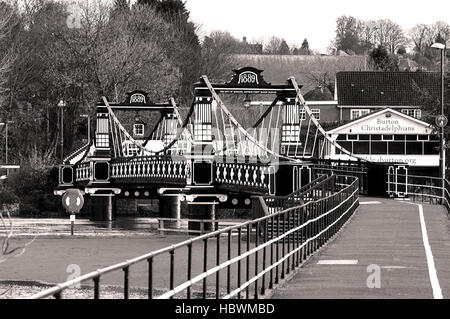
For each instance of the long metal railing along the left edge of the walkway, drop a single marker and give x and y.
(252, 261)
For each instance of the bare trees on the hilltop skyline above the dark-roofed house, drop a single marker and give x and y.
(385, 40)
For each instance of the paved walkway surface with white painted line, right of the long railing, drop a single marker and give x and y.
(387, 234)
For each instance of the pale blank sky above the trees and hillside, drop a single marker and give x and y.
(295, 20)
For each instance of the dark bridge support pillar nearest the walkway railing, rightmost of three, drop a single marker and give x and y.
(199, 211)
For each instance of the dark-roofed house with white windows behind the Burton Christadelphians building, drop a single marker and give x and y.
(360, 93)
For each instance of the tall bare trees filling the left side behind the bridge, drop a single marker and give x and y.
(55, 53)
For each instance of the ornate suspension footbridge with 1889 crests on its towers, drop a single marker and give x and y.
(208, 159)
